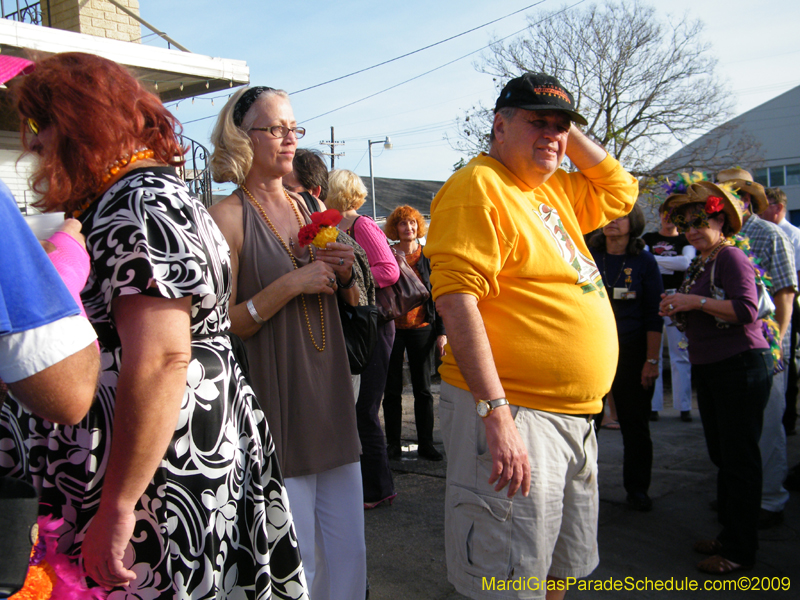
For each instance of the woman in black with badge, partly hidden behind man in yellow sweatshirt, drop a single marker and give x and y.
(633, 284)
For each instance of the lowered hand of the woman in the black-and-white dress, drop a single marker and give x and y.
(104, 548)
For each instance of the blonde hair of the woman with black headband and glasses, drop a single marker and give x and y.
(233, 150)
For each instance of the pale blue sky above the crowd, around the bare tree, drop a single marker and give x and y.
(297, 44)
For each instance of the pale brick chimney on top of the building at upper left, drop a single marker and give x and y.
(94, 17)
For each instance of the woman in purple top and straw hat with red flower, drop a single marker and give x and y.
(731, 363)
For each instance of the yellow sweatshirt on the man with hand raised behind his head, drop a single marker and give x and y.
(520, 252)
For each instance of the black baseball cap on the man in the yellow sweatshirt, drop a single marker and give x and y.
(537, 91)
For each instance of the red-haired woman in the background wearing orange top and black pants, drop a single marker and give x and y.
(418, 332)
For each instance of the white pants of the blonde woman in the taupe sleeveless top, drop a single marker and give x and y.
(328, 511)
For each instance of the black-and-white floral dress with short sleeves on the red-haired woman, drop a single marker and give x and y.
(214, 521)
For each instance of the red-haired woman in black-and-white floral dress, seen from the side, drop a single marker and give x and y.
(169, 487)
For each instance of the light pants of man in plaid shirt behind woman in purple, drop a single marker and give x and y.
(772, 444)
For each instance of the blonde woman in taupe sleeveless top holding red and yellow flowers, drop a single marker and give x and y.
(284, 306)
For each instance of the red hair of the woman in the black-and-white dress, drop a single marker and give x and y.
(93, 112)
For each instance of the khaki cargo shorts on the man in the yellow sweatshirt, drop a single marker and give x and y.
(505, 548)
